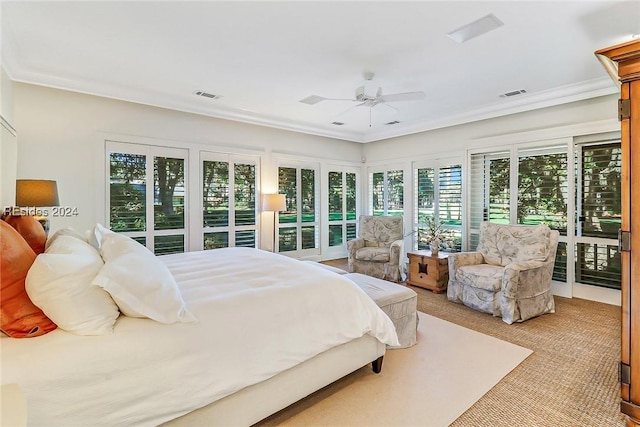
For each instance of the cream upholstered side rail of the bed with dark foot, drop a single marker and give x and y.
(254, 403)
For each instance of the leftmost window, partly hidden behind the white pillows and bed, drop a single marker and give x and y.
(147, 195)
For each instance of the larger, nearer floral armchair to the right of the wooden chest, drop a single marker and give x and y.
(510, 273)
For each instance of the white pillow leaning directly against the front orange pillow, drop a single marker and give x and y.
(59, 283)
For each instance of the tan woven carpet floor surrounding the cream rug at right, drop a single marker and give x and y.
(571, 379)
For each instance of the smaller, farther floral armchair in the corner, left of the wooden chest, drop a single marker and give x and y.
(378, 249)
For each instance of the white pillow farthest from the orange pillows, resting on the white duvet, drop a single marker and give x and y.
(138, 282)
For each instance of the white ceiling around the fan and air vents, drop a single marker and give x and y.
(264, 57)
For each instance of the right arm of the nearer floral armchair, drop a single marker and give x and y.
(519, 274)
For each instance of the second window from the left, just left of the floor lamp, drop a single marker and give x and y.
(229, 209)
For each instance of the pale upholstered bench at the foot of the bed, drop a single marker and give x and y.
(398, 302)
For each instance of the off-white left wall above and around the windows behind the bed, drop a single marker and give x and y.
(62, 138)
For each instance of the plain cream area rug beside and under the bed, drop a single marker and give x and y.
(430, 384)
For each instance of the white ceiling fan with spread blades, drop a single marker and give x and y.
(368, 96)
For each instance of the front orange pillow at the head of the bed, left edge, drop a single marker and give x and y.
(19, 317)
